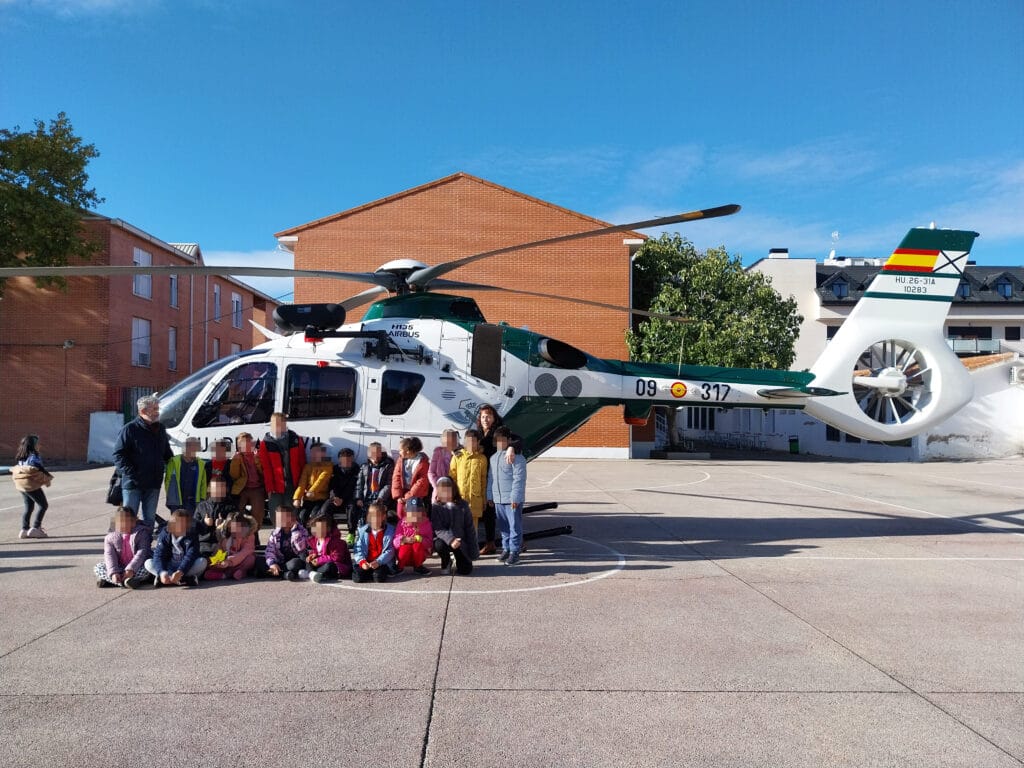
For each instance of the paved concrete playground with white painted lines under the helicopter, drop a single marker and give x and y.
(742, 613)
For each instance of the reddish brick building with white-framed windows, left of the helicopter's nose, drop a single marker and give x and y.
(104, 342)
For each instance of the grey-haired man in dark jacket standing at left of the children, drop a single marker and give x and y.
(141, 454)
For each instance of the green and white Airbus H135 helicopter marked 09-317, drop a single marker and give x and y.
(422, 360)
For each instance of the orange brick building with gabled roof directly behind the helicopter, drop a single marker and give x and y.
(460, 216)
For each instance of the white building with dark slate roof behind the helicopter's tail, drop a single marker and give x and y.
(984, 328)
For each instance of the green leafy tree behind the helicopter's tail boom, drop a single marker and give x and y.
(737, 319)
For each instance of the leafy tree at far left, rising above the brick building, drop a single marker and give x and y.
(45, 190)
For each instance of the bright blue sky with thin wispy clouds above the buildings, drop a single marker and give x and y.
(225, 121)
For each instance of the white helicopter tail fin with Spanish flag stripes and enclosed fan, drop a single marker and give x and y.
(890, 358)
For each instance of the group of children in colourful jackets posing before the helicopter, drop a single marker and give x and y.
(398, 514)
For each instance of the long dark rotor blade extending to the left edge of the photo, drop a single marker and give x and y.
(383, 280)
